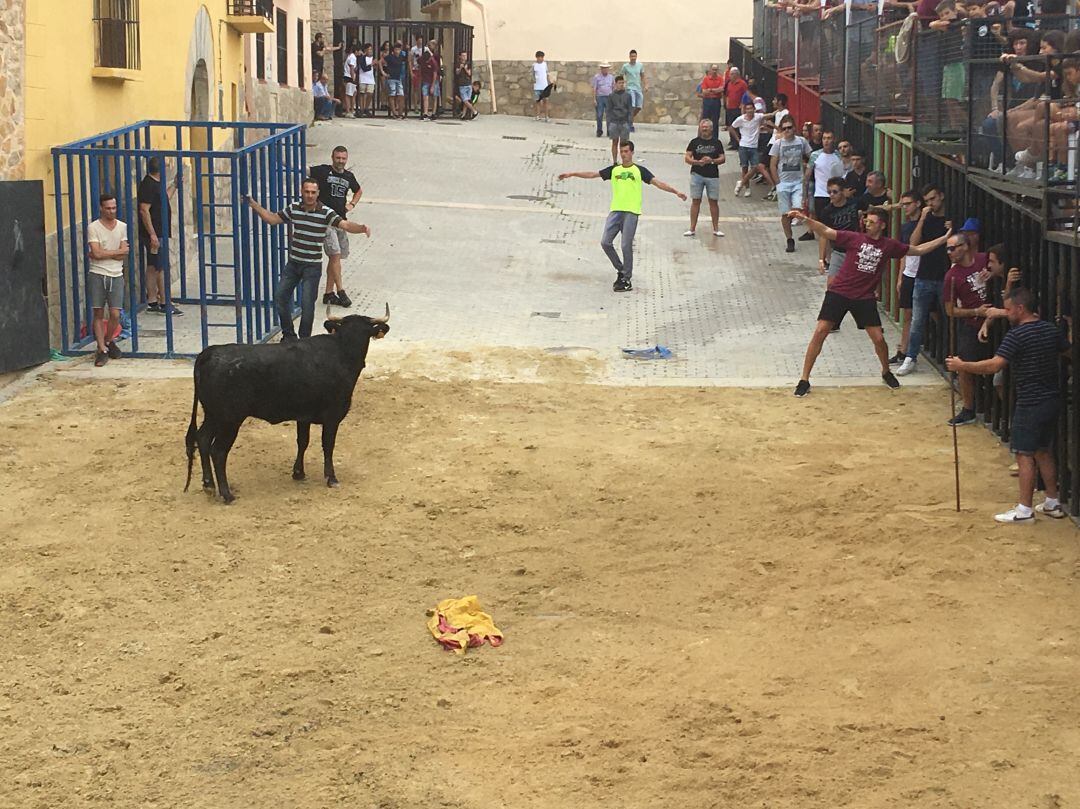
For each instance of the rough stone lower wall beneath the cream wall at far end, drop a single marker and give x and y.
(671, 99)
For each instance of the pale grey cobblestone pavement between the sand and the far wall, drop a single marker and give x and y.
(478, 245)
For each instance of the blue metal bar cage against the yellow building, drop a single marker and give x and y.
(221, 258)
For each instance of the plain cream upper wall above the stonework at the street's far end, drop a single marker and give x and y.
(573, 31)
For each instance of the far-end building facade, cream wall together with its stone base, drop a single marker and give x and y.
(677, 41)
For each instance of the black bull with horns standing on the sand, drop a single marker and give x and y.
(309, 382)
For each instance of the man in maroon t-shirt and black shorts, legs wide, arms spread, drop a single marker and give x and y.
(855, 289)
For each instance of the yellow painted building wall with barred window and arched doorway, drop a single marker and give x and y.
(64, 103)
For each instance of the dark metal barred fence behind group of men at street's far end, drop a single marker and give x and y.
(452, 38)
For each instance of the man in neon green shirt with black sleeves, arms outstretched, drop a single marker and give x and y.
(627, 181)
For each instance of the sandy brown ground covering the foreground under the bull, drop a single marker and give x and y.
(711, 599)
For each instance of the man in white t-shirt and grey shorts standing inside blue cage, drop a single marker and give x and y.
(107, 238)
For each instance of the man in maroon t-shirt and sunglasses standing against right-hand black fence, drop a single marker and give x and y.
(967, 296)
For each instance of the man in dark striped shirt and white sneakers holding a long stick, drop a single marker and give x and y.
(1032, 350)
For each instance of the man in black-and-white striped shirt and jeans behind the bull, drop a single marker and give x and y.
(310, 221)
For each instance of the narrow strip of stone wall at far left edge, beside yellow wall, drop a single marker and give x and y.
(12, 65)
